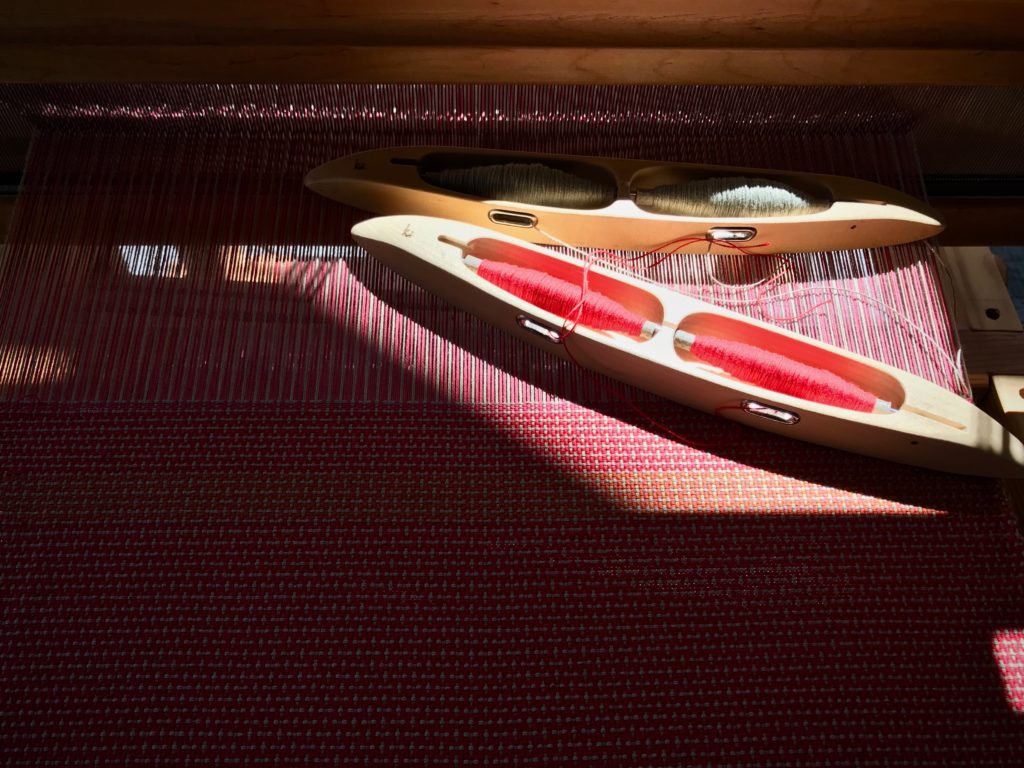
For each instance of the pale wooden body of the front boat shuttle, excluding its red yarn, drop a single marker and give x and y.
(915, 422)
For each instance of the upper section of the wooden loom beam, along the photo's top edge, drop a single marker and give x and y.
(979, 25)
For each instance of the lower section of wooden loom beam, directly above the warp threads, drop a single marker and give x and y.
(334, 64)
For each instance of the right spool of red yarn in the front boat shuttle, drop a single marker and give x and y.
(782, 374)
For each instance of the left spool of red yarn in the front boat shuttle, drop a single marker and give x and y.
(563, 298)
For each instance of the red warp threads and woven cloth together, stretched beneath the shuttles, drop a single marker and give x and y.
(268, 502)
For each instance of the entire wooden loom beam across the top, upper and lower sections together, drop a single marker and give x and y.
(965, 42)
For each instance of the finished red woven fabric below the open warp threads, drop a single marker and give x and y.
(363, 585)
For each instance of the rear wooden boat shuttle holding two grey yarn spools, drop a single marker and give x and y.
(627, 204)
